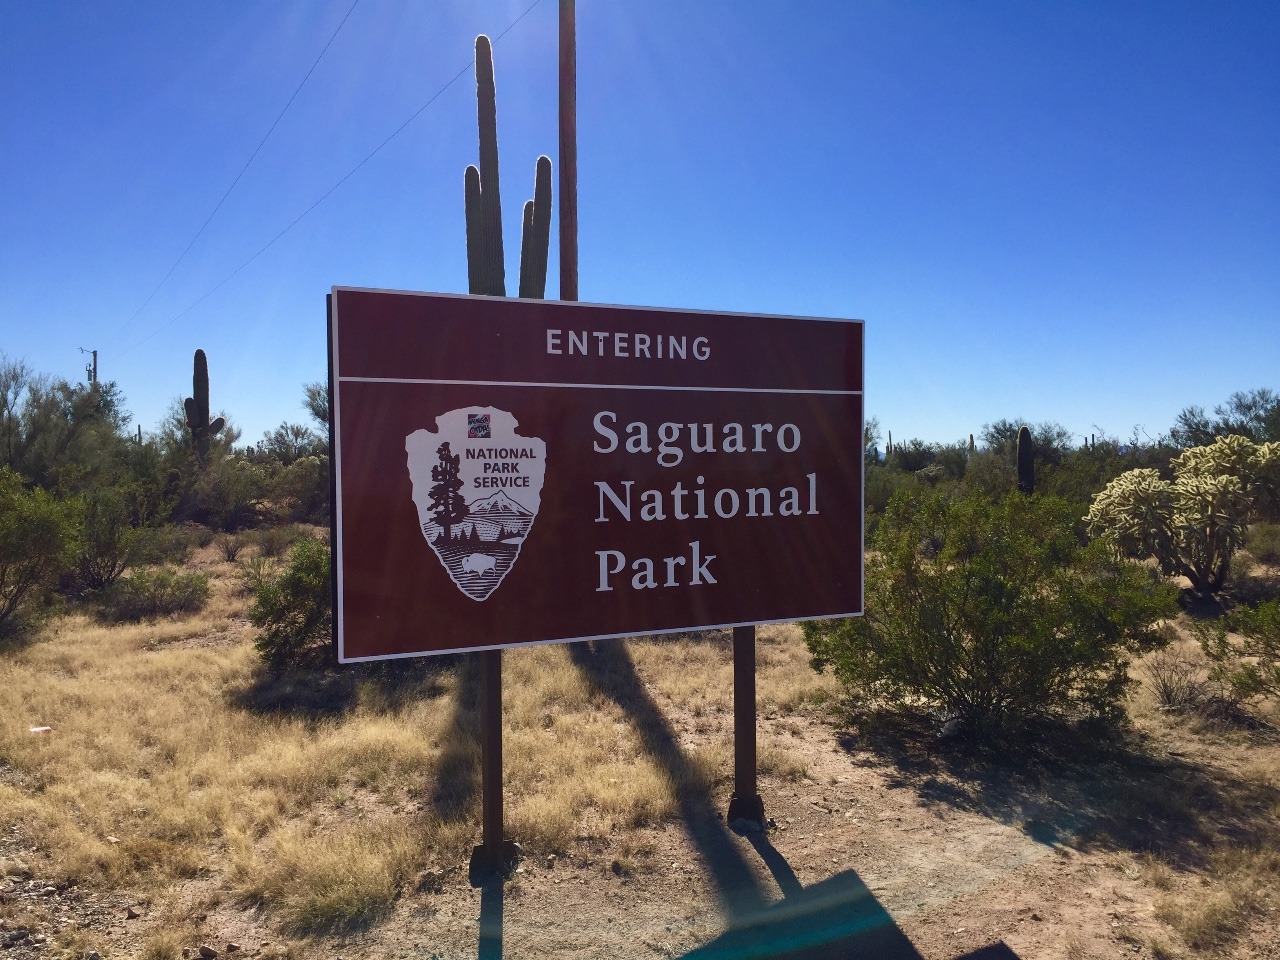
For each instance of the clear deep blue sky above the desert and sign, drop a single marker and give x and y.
(1057, 212)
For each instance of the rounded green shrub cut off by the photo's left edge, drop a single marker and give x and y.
(38, 545)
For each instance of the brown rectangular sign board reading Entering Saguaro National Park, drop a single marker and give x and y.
(516, 472)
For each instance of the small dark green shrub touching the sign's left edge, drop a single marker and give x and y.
(295, 610)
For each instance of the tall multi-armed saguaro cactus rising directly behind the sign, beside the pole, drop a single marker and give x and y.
(486, 267)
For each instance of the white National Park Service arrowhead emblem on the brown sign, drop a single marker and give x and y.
(477, 486)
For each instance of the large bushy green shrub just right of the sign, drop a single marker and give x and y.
(993, 614)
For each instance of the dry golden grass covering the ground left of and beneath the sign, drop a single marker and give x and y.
(162, 767)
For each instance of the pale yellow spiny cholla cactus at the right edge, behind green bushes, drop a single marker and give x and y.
(1194, 525)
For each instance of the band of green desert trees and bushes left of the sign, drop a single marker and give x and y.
(85, 496)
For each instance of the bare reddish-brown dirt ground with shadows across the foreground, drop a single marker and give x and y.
(893, 844)
